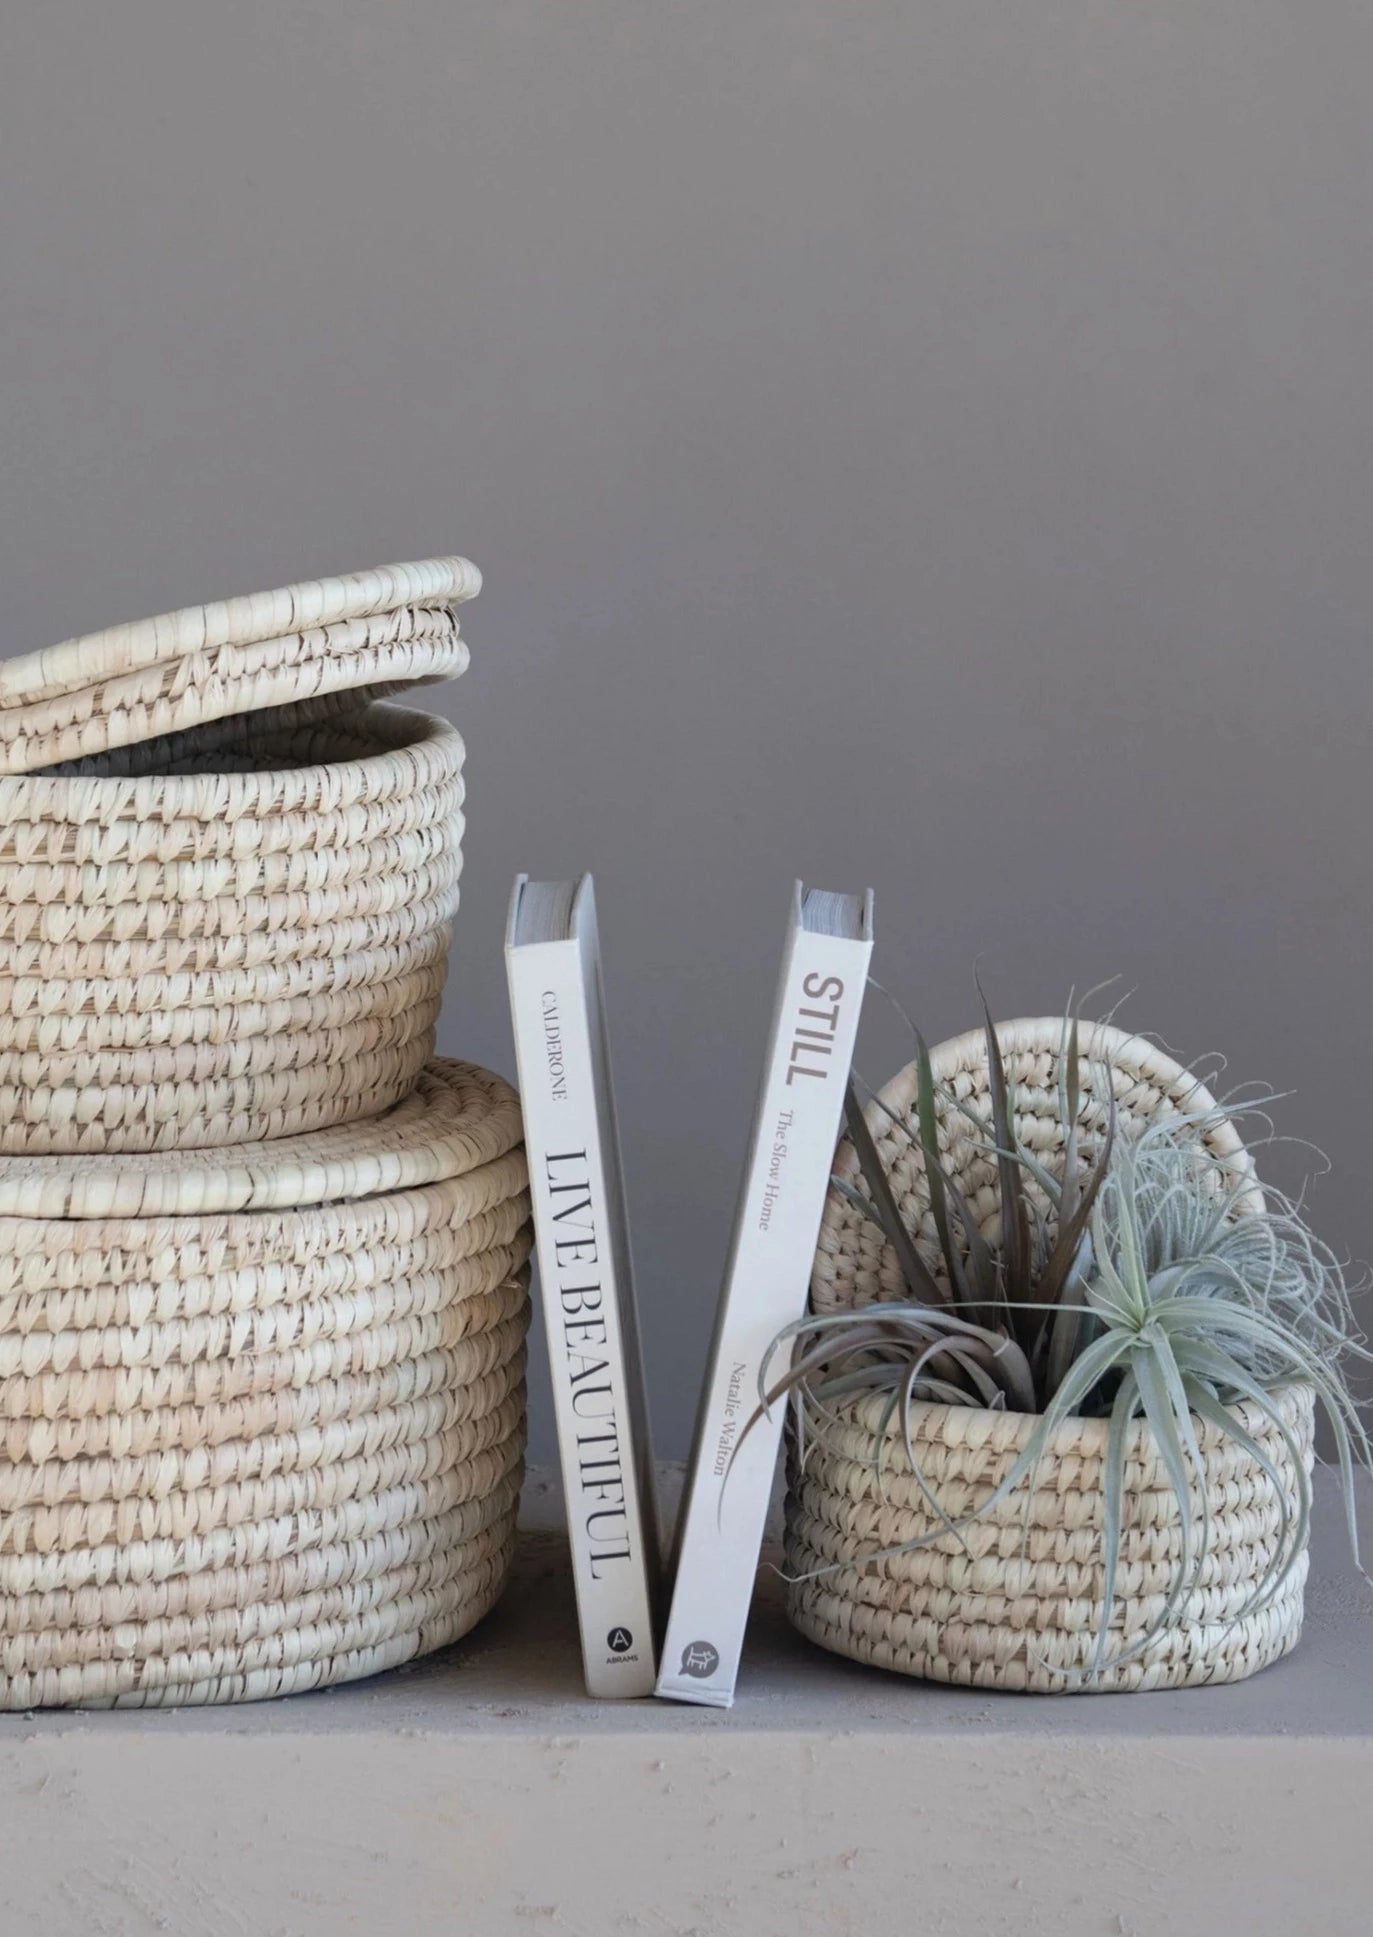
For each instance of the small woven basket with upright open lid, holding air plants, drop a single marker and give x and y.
(1016, 1601)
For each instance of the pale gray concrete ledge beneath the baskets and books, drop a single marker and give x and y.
(483, 1793)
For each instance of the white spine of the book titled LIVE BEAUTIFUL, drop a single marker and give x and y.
(582, 1316)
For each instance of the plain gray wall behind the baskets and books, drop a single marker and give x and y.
(923, 445)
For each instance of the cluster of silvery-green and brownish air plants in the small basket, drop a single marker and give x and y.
(1149, 1281)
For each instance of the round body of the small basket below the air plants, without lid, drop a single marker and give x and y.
(1016, 1601)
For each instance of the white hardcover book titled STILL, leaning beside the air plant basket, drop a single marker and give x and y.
(766, 1283)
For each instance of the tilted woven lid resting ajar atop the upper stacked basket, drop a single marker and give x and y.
(154, 677)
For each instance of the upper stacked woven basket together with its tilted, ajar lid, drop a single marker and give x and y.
(226, 876)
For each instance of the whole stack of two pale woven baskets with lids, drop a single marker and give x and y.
(262, 1260)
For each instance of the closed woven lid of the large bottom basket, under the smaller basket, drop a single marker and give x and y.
(456, 1121)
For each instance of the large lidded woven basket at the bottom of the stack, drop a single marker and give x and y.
(260, 1411)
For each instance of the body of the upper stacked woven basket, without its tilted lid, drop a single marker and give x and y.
(212, 958)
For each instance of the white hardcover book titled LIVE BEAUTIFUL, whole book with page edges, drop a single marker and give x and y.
(553, 962)
